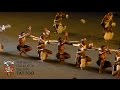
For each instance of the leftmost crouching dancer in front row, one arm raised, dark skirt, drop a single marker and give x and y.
(22, 47)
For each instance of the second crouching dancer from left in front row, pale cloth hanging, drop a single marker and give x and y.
(42, 51)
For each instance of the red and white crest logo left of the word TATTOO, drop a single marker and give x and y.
(9, 67)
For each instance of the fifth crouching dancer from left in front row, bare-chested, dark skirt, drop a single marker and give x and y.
(102, 62)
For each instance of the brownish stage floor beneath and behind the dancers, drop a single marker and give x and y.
(30, 68)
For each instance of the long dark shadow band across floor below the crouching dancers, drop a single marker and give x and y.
(54, 61)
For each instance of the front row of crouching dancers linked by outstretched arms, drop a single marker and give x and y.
(82, 60)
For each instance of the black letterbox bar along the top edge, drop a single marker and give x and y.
(59, 5)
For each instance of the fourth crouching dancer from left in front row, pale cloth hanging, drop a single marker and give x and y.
(81, 59)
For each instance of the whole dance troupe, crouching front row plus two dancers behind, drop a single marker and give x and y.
(82, 60)
